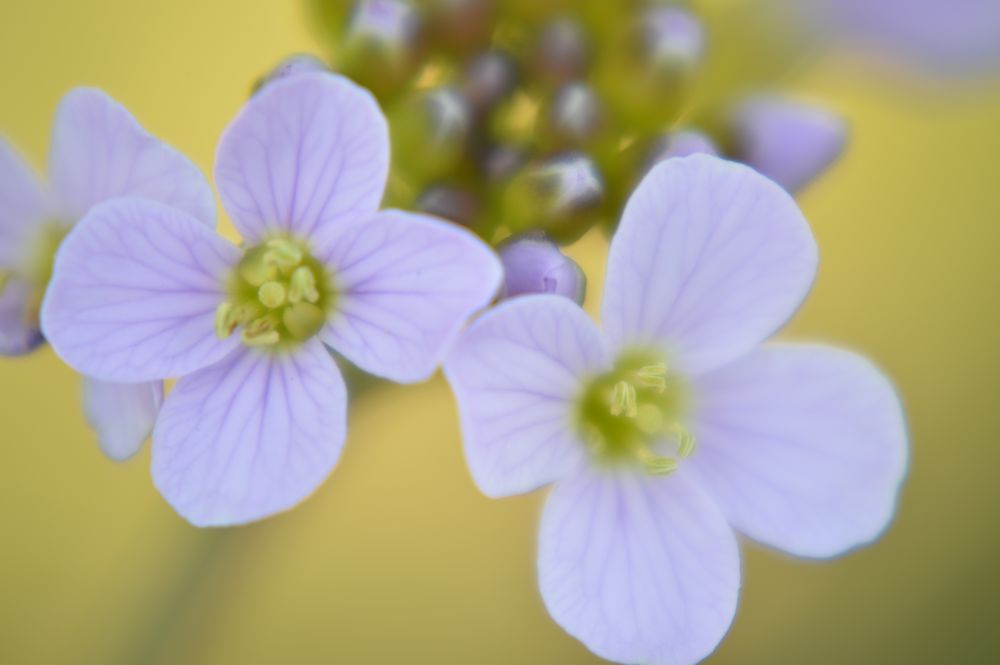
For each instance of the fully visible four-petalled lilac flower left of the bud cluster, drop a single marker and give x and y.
(258, 418)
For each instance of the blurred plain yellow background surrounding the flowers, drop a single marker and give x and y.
(398, 559)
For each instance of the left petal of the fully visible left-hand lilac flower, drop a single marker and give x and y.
(134, 292)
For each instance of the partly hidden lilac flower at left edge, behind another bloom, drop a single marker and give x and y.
(98, 152)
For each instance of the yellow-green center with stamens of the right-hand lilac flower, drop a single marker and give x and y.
(633, 412)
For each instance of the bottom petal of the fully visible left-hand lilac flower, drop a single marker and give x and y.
(250, 436)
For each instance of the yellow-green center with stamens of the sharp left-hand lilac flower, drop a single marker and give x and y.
(279, 295)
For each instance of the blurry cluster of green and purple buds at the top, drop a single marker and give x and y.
(540, 116)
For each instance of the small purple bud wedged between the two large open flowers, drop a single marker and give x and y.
(535, 265)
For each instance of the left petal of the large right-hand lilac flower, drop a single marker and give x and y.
(515, 374)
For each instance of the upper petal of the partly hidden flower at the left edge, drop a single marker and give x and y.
(100, 152)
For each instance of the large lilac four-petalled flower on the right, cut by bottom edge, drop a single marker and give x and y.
(675, 429)
